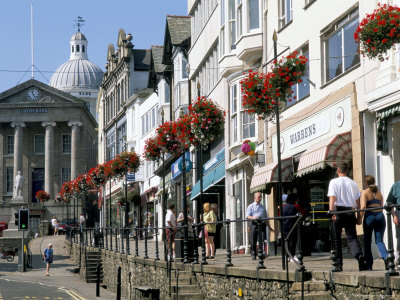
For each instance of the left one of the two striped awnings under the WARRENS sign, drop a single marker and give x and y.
(269, 174)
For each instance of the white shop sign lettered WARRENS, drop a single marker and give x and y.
(308, 131)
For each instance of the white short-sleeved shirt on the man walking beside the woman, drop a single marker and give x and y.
(345, 190)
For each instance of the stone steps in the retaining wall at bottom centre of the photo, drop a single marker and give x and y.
(183, 287)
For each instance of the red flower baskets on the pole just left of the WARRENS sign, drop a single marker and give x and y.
(262, 91)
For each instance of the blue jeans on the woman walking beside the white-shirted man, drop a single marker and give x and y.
(374, 221)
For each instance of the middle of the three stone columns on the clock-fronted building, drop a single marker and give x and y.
(49, 158)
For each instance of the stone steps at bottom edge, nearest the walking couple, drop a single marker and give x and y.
(313, 290)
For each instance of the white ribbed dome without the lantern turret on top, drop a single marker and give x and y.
(77, 73)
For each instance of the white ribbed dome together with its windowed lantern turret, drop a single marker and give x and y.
(78, 72)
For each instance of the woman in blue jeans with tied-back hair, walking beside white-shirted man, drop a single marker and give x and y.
(374, 221)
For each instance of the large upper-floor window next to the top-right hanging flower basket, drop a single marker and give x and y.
(340, 49)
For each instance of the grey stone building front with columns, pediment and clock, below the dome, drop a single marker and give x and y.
(46, 134)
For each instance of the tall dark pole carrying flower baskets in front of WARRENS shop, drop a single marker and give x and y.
(278, 149)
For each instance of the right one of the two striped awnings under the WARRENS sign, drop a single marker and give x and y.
(330, 152)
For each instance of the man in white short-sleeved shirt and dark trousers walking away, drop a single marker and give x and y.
(344, 195)
